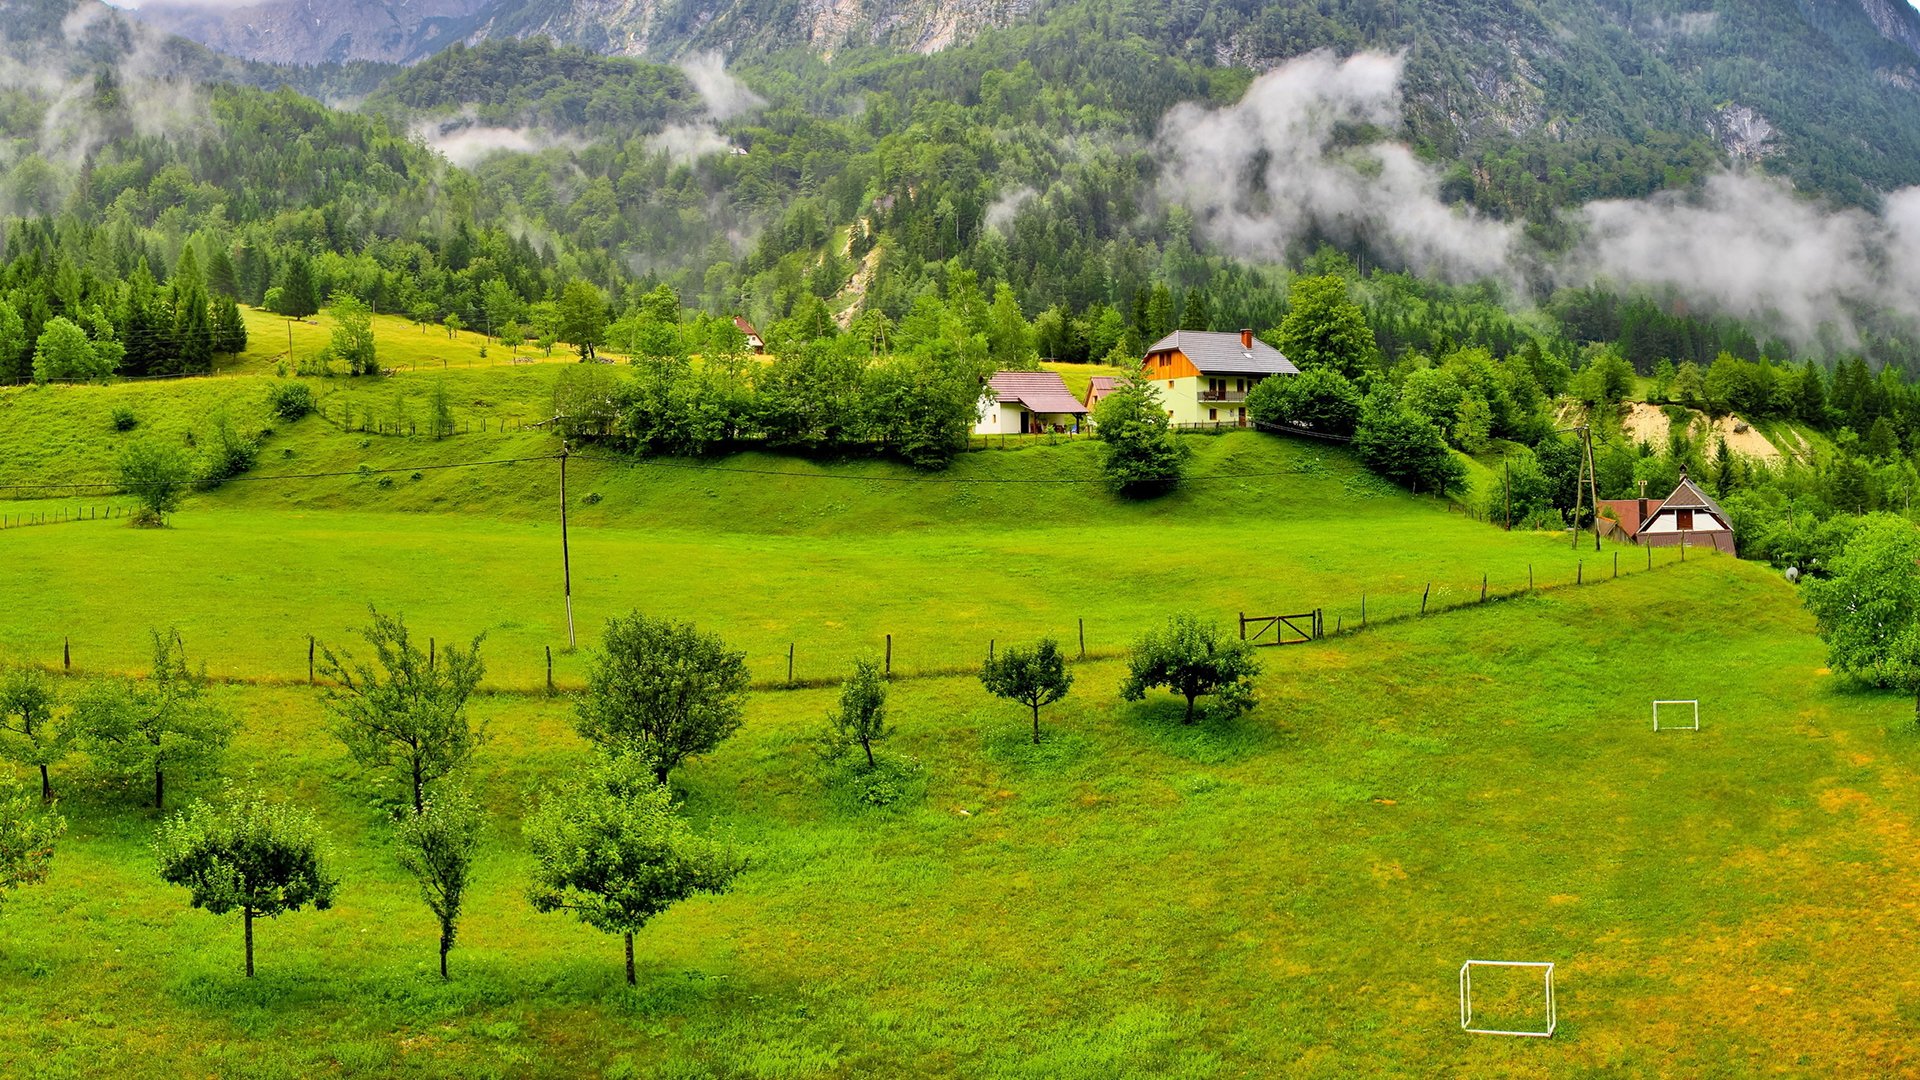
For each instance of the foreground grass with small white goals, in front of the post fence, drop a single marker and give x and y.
(1291, 893)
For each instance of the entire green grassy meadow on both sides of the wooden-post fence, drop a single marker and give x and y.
(1285, 895)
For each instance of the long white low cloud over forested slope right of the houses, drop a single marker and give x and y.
(1287, 164)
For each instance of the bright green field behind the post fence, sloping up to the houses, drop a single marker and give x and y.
(771, 552)
